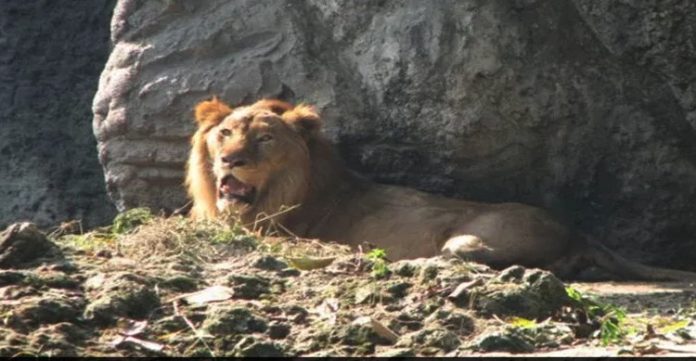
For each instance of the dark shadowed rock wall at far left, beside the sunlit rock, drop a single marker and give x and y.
(50, 58)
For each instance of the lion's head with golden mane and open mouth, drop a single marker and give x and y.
(250, 160)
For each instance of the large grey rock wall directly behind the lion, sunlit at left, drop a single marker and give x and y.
(582, 107)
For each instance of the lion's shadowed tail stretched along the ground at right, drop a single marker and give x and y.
(613, 262)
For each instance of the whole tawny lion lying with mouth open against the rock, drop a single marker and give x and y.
(268, 163)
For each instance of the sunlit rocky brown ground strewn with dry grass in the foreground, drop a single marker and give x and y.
(153, 286)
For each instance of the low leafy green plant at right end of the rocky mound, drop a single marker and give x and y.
(610, 317)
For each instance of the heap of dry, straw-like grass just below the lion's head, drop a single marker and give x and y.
(139, 235)
